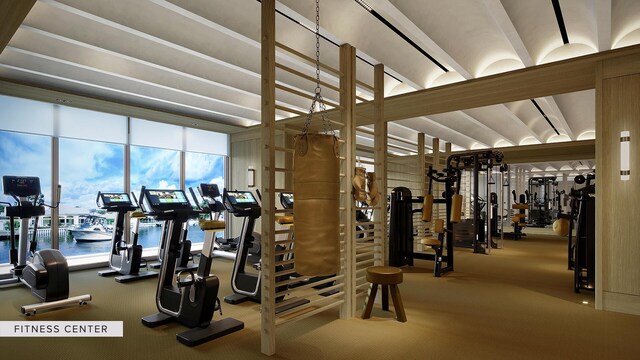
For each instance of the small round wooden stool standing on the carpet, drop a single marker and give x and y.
(386, 276)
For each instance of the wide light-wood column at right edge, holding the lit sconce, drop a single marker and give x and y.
(617, 210)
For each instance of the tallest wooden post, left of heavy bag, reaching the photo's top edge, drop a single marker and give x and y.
(268, 98)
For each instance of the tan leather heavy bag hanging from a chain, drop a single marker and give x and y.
(316, 190)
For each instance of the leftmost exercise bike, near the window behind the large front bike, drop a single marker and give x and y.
(125, 258)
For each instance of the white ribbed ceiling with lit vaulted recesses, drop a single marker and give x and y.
(202, 58)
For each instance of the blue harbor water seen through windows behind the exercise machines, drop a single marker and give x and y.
(149, 237)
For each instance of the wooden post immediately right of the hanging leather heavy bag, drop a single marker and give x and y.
(348, 103)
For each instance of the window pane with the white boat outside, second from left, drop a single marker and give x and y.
(90, 159)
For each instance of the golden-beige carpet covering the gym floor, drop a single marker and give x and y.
(517, 303)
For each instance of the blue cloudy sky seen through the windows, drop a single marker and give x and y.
(87, 167)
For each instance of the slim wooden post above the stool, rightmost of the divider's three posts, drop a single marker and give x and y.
(380, 157)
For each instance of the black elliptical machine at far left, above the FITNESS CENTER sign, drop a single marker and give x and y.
(45, 271)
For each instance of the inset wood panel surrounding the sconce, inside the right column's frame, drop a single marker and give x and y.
(621, 248)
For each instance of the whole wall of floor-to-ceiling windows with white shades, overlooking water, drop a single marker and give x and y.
(86, 152)
